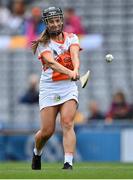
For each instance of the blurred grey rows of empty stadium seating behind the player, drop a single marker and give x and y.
(113, 20)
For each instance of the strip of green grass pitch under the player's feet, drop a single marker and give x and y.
(22, 170)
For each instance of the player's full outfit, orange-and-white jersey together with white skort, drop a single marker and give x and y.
(56, 88)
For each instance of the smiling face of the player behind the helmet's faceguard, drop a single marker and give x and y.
(55, 23)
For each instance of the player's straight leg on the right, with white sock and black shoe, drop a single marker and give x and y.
(67, 112)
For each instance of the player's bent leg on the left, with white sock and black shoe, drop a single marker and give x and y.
(48, 118)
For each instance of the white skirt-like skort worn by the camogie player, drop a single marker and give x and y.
(55, 93)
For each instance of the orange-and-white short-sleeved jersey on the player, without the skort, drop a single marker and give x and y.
(61, 54)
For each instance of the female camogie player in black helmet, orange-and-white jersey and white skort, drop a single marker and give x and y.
(58, 52)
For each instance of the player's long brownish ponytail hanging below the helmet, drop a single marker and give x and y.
(44, 38)
